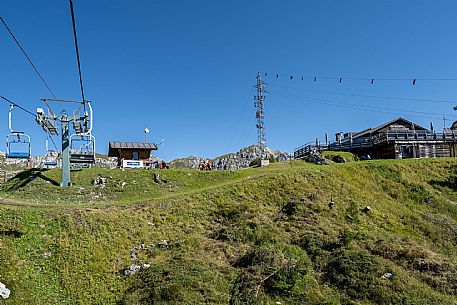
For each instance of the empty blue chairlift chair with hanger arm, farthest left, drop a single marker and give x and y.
(17, 142)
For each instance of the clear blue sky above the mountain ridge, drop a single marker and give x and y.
(186, 68)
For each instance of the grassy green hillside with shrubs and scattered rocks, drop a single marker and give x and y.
(256, 236)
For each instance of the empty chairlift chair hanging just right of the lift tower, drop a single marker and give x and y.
(82, 148)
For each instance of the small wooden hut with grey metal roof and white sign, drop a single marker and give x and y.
(131, 154)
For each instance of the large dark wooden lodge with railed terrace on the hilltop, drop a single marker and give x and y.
(397, 139)
